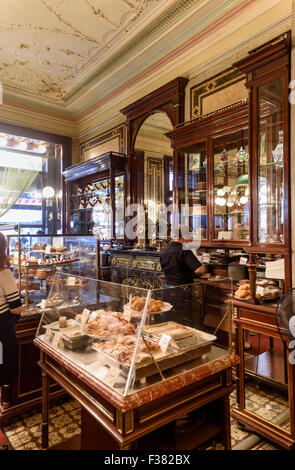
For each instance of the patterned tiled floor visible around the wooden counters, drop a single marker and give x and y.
(24, 433)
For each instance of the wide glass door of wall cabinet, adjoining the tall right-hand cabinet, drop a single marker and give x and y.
(231, 187)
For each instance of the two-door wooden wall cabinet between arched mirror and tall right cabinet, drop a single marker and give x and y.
(213, 174)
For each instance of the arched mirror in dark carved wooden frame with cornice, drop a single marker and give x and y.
(150, 165)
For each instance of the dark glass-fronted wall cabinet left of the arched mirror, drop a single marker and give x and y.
(96, 197)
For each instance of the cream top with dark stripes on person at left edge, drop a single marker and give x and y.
(9, 295)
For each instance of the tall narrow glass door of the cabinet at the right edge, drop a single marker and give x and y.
(270, 165)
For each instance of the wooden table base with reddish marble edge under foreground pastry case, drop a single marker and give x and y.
(148, 418)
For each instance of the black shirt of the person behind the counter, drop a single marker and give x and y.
(178, 265)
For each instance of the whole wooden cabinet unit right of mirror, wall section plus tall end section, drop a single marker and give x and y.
(263, 226)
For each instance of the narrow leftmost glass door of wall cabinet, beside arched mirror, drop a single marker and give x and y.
(195, 187)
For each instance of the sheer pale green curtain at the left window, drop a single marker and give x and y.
(13, 183)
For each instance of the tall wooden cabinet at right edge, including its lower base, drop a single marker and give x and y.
(268, 71)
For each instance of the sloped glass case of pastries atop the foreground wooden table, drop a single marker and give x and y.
(126, 337)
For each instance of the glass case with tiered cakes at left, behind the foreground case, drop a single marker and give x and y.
(36, 259)
